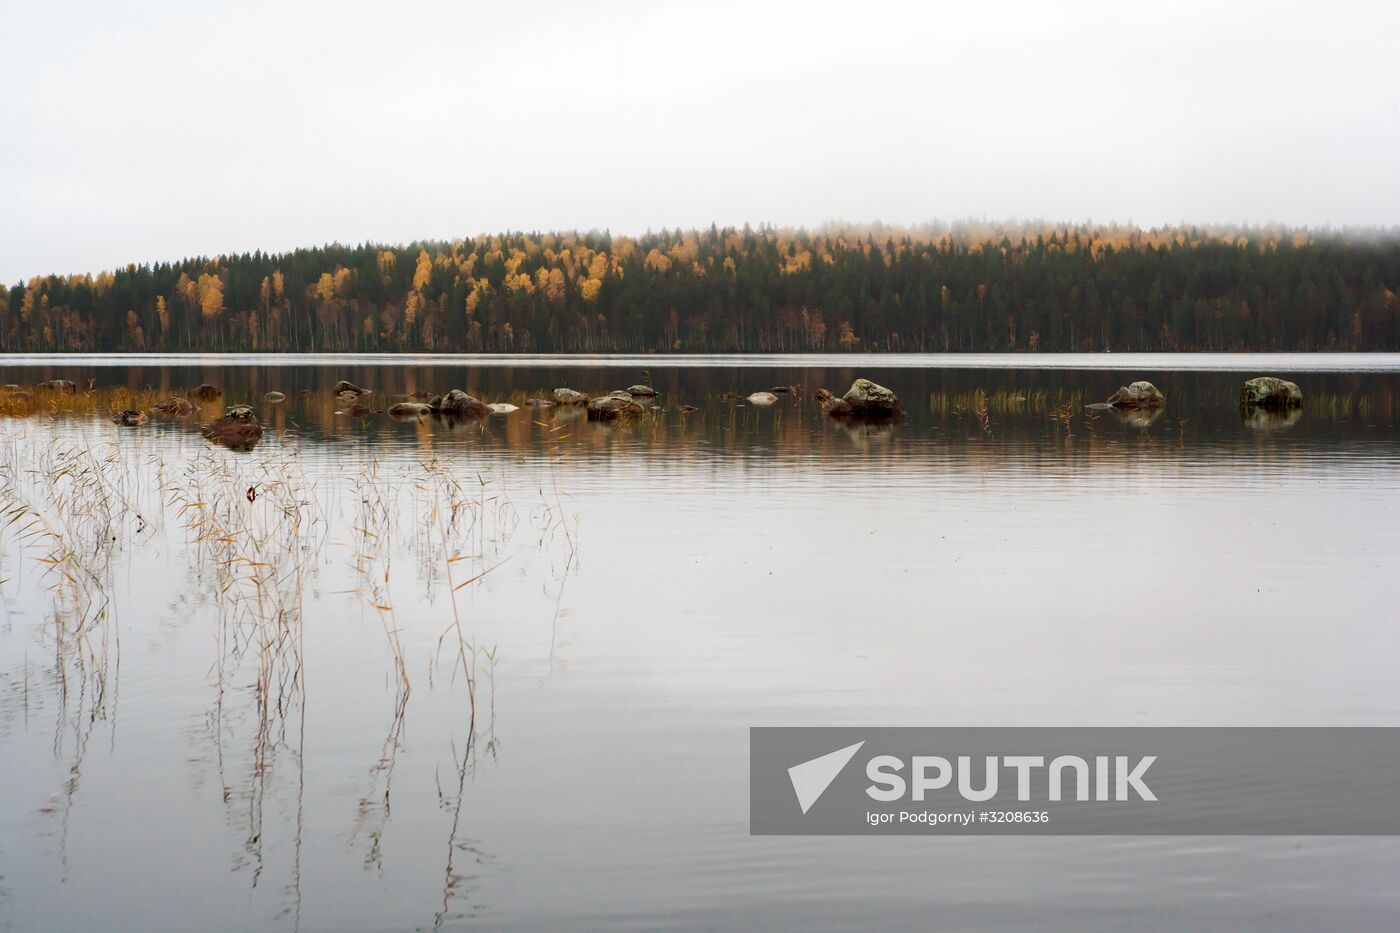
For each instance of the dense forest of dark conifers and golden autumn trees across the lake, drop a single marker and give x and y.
(929, 289)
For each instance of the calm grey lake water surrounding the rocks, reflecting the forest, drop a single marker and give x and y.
(407, 676)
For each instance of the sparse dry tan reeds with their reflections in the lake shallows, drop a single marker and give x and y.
(251, 534)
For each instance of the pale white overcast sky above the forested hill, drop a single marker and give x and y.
(153, 131)
